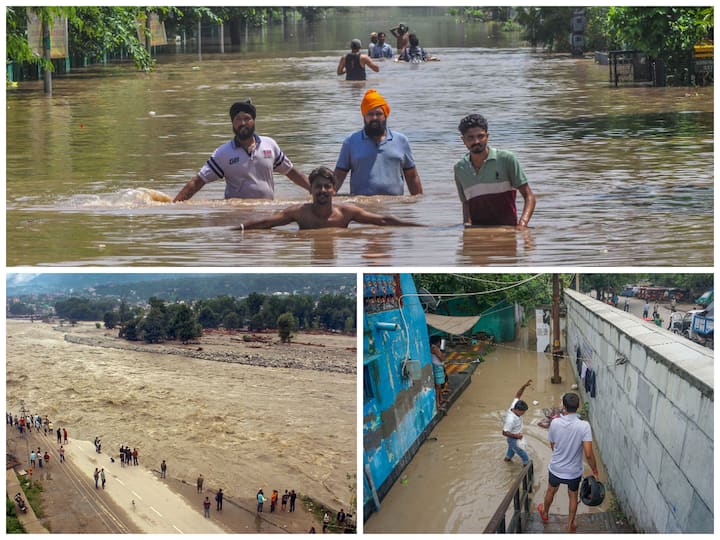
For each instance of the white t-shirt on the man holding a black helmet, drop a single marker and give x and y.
(568, 432)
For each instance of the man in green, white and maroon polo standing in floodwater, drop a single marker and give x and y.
(487, 180)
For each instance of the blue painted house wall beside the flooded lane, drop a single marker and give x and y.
(397, 406)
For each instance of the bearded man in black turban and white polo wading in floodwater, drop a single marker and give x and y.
(247, 162)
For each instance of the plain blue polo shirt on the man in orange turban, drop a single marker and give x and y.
(376, 169)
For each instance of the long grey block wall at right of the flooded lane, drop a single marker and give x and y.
(651, 414)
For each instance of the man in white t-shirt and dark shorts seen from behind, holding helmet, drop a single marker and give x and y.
(570, 438)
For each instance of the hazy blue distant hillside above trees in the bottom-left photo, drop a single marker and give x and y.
(179, 286)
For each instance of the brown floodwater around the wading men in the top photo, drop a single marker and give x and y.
(622, 175)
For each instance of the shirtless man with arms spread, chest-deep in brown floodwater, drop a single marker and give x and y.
(322, 213)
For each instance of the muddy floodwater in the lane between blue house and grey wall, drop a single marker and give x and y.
(458, 478)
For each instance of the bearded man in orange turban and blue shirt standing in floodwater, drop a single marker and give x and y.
(378, 159)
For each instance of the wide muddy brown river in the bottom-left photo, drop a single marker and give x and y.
(242, 426)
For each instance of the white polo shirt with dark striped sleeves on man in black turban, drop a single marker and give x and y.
(247, 176)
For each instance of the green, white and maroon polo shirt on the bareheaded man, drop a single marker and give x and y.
(491, 190)
